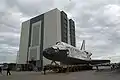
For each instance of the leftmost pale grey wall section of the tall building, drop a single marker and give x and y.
(24, 38)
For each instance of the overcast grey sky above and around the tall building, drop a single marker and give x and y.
(97, 21)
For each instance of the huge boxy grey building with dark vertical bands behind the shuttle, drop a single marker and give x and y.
(42, 32)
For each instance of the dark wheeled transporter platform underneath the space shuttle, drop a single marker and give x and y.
(67, 68)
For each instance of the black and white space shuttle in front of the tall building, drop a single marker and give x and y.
(70, 55)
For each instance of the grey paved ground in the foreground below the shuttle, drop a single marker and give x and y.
(83, 75)
